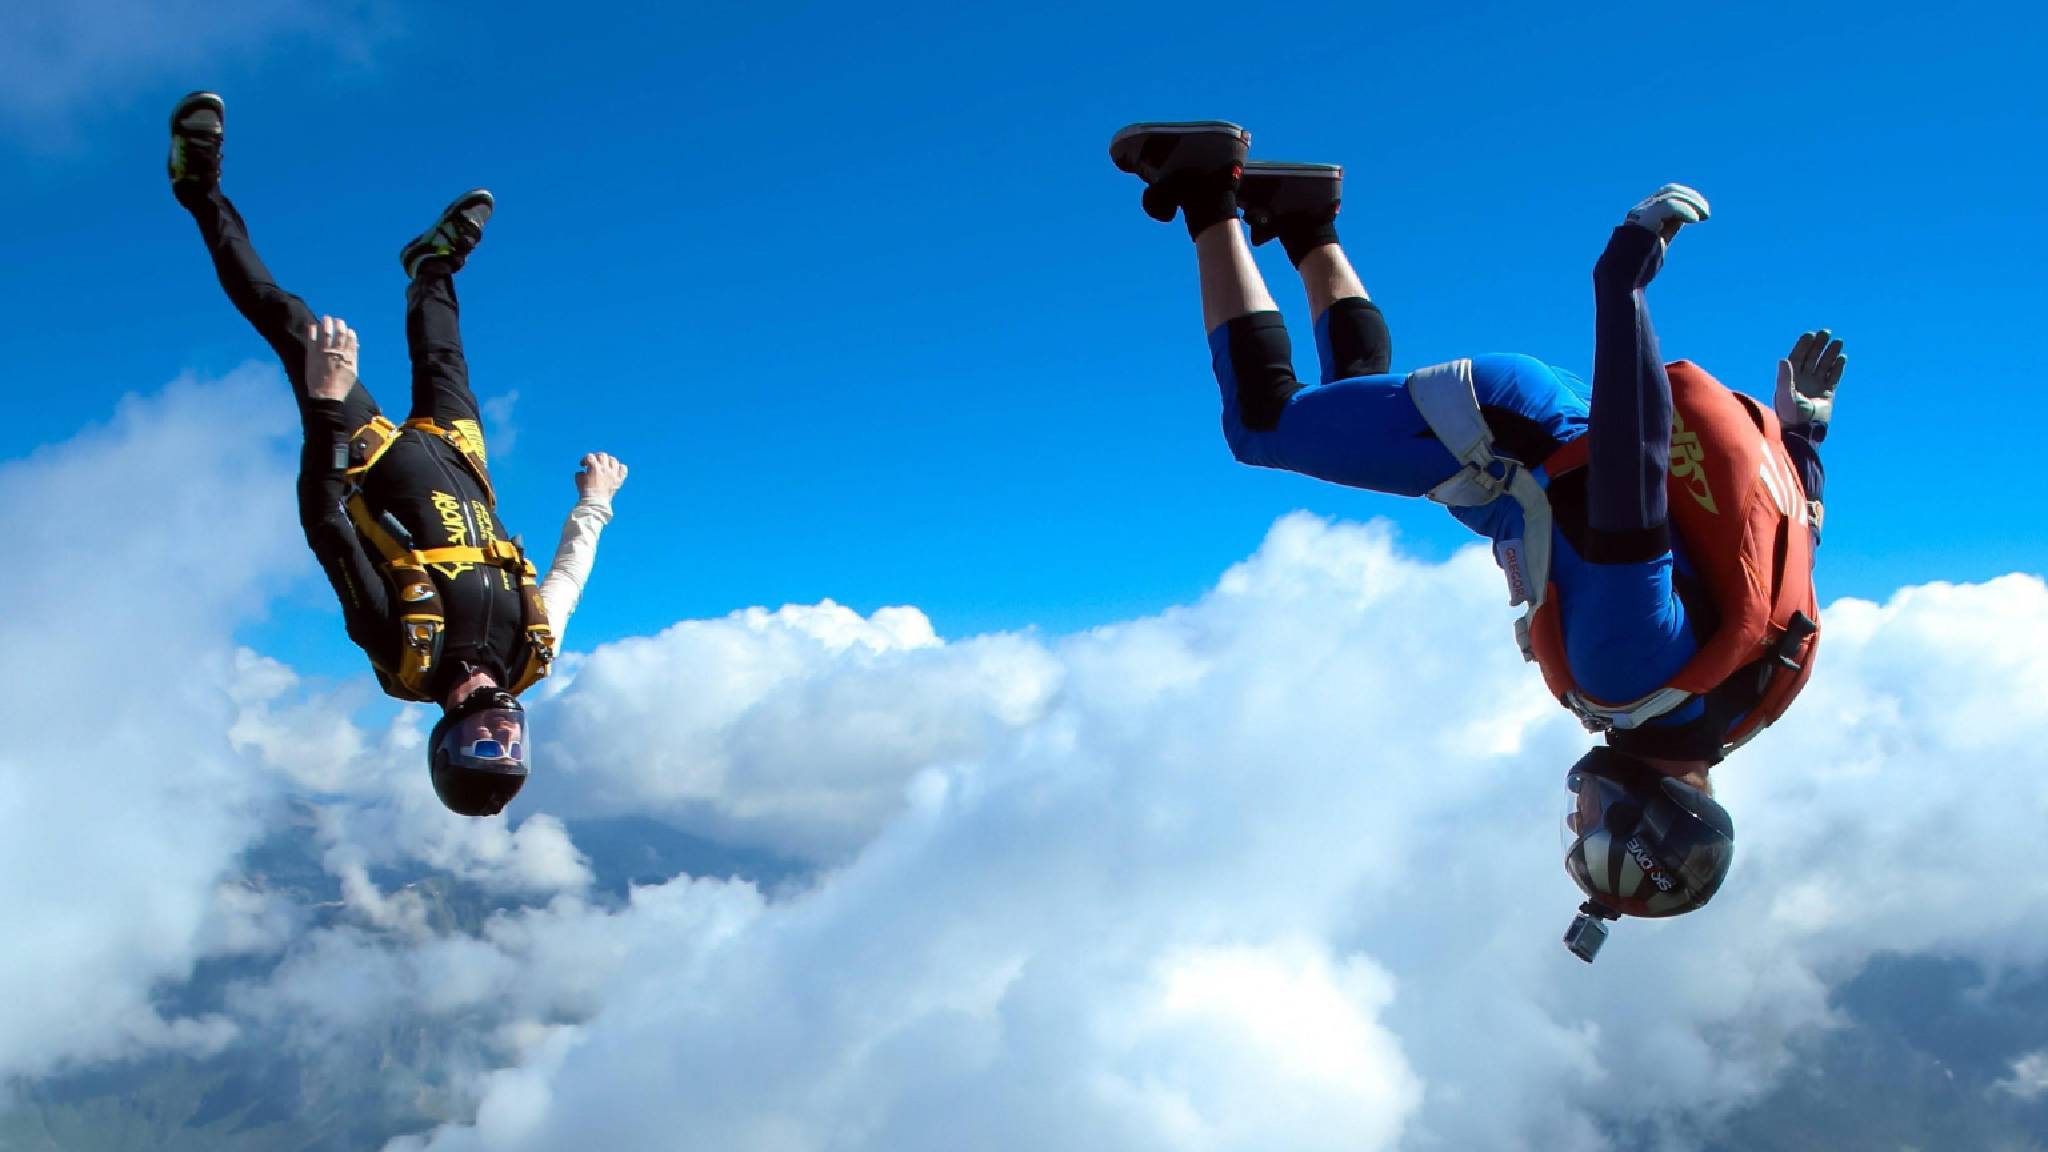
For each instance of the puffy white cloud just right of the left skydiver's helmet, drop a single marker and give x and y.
(804, 733)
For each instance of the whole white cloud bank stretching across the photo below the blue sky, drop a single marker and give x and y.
(1271, 870)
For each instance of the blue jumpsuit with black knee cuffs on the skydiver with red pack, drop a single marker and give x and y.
(1619, 571)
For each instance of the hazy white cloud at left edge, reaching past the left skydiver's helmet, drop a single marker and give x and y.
(144, 751)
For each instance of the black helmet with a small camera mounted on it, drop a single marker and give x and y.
(1639, 844)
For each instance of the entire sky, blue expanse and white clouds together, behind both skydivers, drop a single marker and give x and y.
(871, 317)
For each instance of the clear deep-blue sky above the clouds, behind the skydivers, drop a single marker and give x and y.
(863, 304)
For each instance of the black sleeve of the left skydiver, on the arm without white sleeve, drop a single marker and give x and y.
(333, 538)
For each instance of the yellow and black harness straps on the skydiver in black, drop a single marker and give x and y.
(419, 602)
